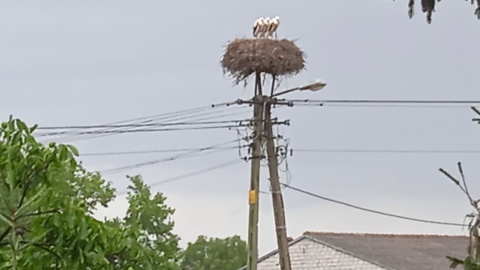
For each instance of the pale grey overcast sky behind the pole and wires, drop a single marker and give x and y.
(94, 62)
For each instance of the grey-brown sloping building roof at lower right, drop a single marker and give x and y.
(393, 251)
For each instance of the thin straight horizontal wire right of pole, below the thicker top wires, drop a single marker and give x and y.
(393, 151)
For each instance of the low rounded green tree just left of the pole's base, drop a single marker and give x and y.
(215, 254)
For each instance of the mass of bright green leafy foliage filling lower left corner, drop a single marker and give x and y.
(46, 203)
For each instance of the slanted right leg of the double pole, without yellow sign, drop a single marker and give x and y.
(278, 207)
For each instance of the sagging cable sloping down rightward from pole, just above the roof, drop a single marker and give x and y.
(372, 211)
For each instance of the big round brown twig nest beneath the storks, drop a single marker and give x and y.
(244, 57)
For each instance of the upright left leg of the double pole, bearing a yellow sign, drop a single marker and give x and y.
(253, 199)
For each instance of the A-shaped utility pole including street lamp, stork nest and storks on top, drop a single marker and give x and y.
(279, 58)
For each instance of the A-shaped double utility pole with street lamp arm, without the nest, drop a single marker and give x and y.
(263, 127)
